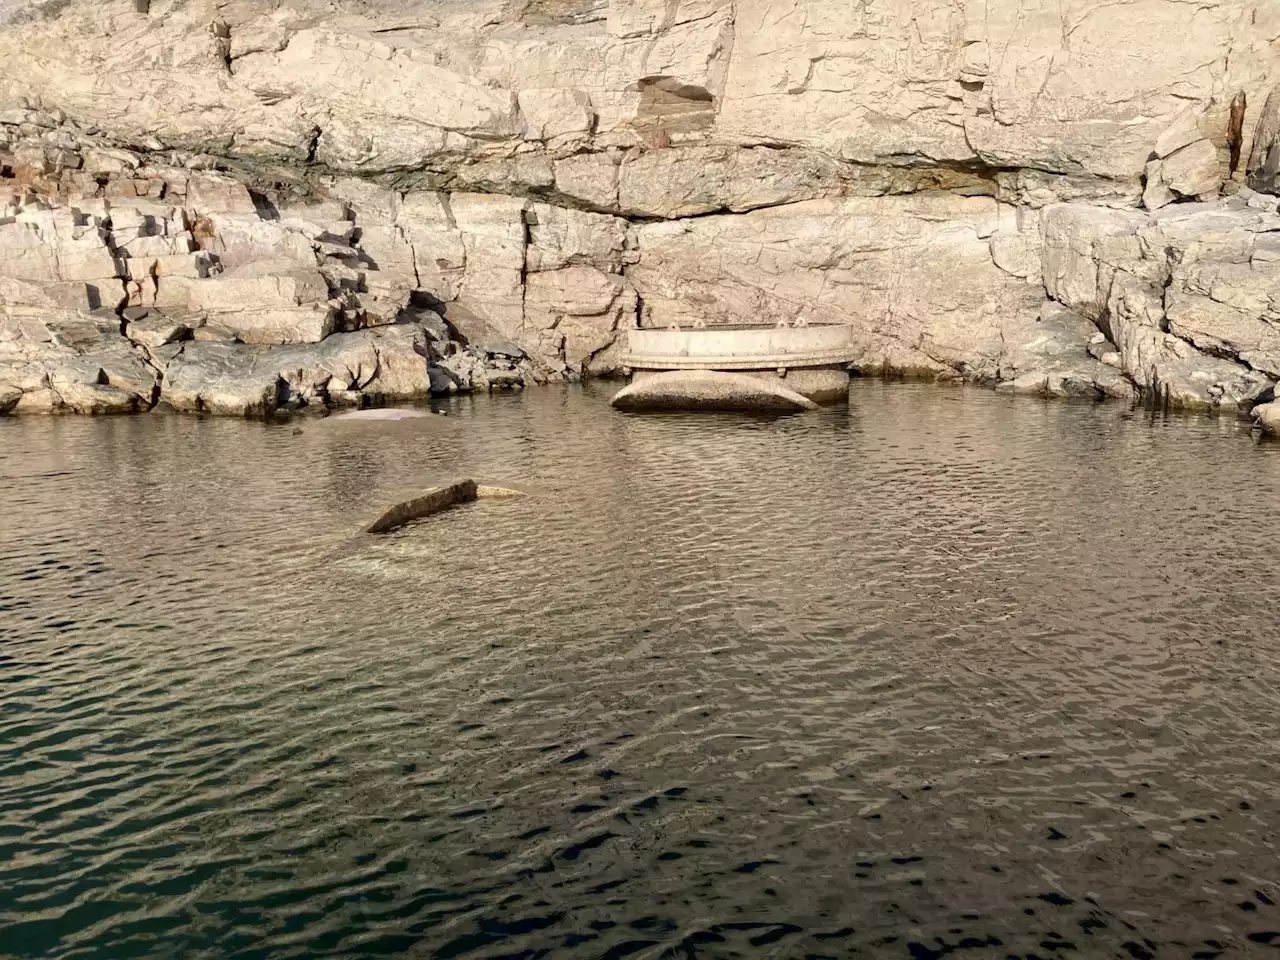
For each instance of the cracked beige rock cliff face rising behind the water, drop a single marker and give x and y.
(235, 205)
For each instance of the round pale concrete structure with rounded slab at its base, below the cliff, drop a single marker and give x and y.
(807, 363)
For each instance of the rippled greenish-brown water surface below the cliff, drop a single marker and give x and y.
(939, 673)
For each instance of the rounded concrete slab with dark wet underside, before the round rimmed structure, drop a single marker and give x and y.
(711, 390)
